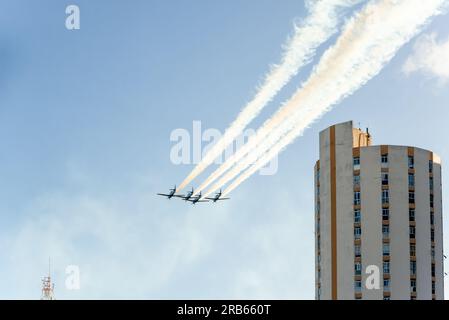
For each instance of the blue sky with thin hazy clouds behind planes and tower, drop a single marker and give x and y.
(85, 124)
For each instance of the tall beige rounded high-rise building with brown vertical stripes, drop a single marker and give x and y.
(378, 219)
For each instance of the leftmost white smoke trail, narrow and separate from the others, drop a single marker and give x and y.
(317, 28)
